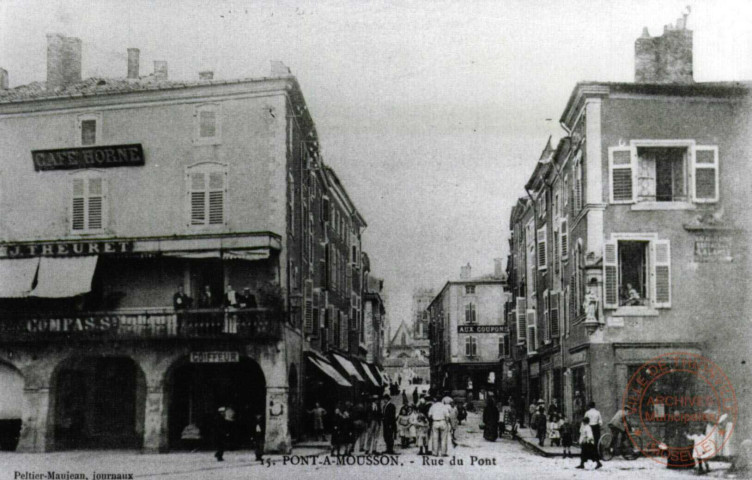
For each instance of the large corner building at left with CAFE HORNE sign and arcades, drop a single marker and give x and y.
(119, 192)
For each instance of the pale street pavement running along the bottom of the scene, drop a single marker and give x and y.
(505, 458)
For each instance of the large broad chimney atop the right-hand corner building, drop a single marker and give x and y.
(665, 59)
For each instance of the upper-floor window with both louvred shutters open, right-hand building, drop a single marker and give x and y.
(660, 172)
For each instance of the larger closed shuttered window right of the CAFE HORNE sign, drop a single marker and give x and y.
(206, 193)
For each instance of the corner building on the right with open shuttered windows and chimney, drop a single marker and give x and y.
(632, 241)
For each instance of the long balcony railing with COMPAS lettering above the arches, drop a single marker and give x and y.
(248, 324)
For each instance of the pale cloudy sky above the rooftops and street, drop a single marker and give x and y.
(433, 113)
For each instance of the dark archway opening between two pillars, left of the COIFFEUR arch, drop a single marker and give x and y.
(98, 402)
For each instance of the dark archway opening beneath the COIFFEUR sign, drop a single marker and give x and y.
(195, 391)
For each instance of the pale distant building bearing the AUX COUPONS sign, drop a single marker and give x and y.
(469, 336)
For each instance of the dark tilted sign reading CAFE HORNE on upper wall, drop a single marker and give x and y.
(88, 157)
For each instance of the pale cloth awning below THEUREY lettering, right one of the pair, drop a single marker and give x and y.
(64, 276)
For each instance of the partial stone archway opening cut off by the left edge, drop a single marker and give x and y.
(11, 406)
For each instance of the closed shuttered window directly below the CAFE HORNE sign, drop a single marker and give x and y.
(88, 202)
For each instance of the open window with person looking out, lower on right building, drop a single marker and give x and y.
(637, 272)
